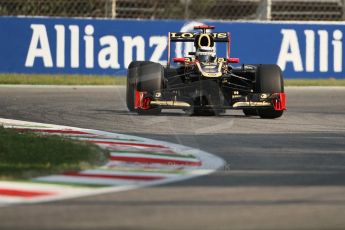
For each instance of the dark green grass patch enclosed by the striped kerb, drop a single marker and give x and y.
(25, 155)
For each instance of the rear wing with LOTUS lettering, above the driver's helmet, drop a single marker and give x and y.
(190, 37)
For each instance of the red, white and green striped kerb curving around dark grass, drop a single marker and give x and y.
(115, 176)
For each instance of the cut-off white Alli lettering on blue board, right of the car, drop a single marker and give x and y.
(323, 50)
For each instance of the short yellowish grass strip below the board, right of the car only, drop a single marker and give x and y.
(315, 82)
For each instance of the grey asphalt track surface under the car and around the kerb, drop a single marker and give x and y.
(287, 173)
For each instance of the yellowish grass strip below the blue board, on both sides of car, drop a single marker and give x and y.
(40, 79)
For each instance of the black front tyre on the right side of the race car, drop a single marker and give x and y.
(269, 79)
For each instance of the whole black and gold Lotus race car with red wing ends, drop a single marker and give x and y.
(204, 84)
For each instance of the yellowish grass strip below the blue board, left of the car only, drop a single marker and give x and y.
(38, 79)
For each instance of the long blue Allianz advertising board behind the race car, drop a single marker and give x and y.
(106, 47)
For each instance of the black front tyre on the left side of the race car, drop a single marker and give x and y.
(150, 80)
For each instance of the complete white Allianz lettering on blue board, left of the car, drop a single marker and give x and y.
(105, 56)
